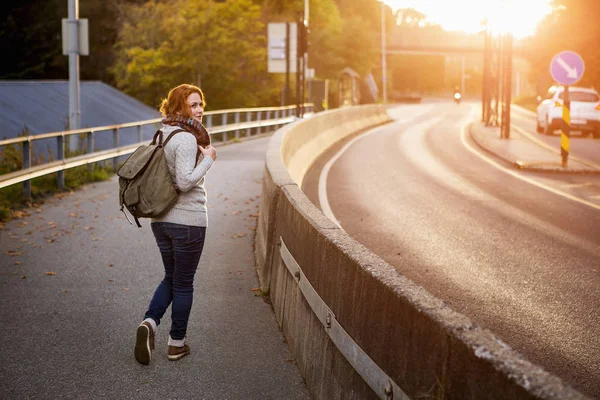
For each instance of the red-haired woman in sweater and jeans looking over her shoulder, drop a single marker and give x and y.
(181, 231)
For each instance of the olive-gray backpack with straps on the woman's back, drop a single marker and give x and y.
(146, 188)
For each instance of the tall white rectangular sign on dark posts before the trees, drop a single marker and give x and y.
(276, 50)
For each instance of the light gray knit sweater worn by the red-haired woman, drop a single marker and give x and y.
(180, 153)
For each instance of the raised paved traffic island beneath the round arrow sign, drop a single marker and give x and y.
(522, 152)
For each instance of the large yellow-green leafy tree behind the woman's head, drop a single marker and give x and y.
(221, 47)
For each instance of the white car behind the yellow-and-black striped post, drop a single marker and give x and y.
(585, 110)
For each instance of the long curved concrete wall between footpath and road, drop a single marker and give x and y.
(427, 349)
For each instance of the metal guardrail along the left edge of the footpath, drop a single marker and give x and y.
(217, 122)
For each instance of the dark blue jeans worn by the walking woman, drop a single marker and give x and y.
(180, 247)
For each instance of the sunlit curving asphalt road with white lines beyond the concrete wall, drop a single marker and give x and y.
(517, 259)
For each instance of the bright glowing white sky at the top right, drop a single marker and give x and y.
(520, 17)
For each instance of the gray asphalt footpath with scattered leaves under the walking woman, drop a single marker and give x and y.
(76, 278)
